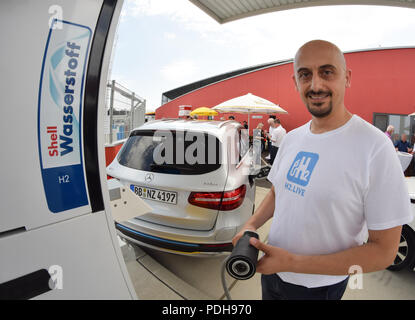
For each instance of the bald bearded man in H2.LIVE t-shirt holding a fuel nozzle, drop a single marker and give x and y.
(331, 191)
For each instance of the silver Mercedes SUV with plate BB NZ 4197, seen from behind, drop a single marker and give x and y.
(195, 177)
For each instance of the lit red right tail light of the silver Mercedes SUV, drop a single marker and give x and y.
(224, 201)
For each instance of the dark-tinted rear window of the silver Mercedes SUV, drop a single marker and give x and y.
(171, 152)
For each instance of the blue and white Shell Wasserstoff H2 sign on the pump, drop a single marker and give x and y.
(60, 116)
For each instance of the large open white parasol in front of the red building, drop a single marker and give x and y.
(249, 103)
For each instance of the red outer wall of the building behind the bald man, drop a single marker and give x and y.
(382, 82)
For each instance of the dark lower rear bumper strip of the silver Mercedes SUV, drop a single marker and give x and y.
(171, 245)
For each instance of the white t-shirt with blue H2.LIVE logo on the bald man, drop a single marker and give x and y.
(331, 188)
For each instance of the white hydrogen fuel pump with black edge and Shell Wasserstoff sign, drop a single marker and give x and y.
(57, 236)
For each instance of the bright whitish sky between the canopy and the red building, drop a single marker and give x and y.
(164, 44)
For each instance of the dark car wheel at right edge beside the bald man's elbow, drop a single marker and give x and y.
(406, 251)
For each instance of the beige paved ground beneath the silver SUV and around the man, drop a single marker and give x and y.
(165, 276)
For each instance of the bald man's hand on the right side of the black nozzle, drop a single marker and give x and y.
(274, 259)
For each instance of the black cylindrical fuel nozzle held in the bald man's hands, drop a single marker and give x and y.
(241, 264)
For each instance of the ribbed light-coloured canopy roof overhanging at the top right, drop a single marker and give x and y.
(229, 10)
